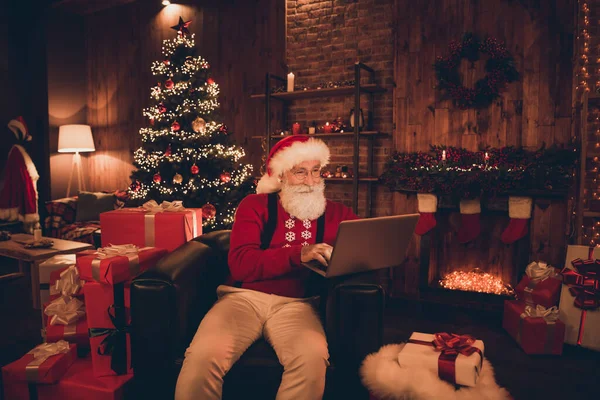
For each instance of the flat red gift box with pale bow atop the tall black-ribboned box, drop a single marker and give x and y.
(119, 268)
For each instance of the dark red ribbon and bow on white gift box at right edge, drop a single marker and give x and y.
(584, 286)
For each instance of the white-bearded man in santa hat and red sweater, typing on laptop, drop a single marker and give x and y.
(286, 223)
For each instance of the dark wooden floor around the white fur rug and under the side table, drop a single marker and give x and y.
(525, 377)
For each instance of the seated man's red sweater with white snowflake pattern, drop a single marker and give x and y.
(276, 270)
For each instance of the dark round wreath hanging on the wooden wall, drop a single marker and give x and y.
(500, 70)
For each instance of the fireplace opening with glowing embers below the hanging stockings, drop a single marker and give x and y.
(479, 274)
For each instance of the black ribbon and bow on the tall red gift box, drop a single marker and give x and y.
(115, 342)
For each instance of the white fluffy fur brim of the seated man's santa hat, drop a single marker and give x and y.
(285, 159)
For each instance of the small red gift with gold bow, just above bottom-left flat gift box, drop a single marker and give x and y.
(68, 324)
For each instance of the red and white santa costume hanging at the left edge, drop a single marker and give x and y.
(18, 195)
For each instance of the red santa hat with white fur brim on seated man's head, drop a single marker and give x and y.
(287, 153)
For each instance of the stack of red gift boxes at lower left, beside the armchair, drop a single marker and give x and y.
(95, 318)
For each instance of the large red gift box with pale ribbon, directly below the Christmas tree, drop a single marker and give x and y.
(167, 230)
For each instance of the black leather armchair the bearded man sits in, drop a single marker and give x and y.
(169, 301)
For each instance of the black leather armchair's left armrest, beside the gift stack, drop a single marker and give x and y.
(169, 301)
